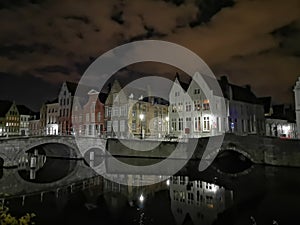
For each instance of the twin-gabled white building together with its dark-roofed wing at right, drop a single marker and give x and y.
(191, 113)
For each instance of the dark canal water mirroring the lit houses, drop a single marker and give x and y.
(228, 192)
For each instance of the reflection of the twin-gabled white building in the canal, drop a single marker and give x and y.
(197, 200)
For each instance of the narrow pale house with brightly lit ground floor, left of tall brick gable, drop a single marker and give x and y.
(52, 118)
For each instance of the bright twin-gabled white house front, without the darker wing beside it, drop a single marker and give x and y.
(190, 111)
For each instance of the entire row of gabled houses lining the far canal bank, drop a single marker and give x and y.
(132, 112)
